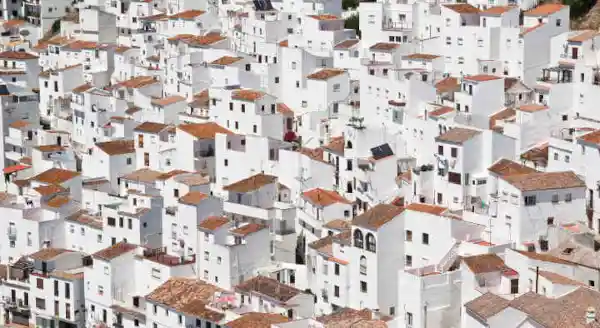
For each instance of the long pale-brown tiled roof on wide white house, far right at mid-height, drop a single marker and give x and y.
(545, 181)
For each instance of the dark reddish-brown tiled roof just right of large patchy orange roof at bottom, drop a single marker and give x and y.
(268, 287)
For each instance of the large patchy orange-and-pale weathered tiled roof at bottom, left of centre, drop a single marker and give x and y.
(187, 295)
